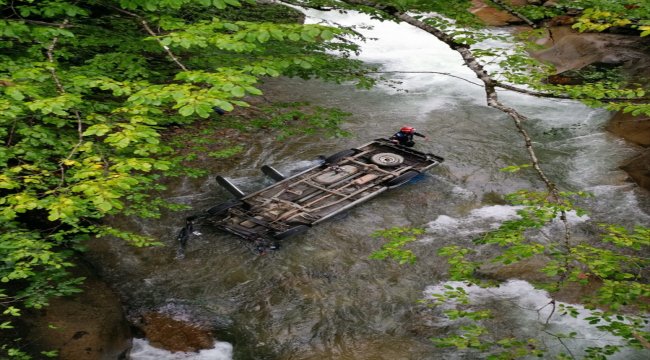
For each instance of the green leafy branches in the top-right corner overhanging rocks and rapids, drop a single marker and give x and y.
(597, 87)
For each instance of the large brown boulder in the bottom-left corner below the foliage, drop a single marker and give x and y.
(90, 325)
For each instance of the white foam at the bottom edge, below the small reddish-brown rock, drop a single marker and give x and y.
(142, 350)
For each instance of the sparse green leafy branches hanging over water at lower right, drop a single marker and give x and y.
(617, 306)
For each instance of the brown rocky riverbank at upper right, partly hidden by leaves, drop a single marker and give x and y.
(569, 51)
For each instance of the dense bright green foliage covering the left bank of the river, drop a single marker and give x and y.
(89, 89)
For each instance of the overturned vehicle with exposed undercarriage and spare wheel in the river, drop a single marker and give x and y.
(292, 205)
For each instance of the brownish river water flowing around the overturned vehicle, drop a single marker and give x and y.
(320, 296)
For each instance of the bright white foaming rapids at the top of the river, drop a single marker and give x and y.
(414, 52)
